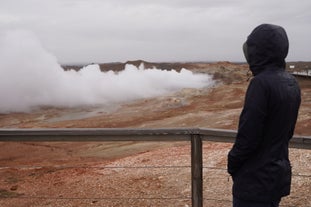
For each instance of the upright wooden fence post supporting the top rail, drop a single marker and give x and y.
(196, 171)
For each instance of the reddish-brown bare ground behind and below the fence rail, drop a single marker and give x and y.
(122, 173)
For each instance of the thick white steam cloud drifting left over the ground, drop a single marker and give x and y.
(31, 77)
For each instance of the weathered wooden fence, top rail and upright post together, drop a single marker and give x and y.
(194, 135)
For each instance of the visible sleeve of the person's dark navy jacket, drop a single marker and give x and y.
(251, 126)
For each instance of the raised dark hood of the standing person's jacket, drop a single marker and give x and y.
(266, 46)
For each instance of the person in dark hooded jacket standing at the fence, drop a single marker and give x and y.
(258, 161)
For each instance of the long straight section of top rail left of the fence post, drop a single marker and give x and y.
(96, 134)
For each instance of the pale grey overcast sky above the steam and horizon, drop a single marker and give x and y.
(82, 31)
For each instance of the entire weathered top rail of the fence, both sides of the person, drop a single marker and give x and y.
(129, 134)
